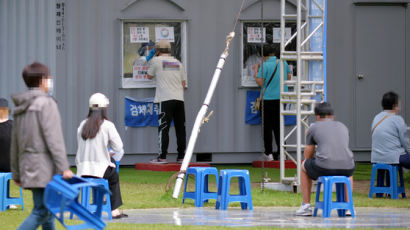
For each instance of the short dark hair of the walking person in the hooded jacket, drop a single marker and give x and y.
(33, 73)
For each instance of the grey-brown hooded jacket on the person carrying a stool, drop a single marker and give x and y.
(37, 146)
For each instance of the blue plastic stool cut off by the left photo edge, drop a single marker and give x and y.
(6, 200)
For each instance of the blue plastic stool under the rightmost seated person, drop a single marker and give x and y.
(391, 187)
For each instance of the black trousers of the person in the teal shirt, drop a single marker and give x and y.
(271, 113)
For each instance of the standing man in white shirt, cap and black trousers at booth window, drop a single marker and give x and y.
(169, 94)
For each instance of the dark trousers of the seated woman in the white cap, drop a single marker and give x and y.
(113, 179)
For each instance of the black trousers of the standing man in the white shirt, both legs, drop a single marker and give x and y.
(168, 111)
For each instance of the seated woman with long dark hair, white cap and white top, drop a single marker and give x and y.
(95, 136)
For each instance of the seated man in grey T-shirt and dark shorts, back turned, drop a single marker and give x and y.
(326, 153)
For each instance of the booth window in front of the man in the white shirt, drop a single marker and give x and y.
(136, 34)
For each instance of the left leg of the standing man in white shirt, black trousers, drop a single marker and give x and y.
(164, 122)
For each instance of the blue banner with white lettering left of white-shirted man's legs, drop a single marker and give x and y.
(140, 113)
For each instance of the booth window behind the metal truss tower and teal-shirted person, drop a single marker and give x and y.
(251, 46)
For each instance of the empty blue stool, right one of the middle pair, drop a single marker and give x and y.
(244, 196)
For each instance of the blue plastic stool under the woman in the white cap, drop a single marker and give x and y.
(86, 197)
